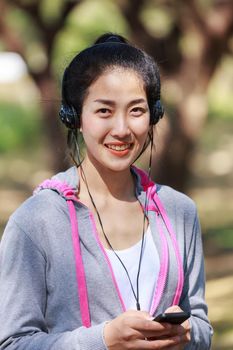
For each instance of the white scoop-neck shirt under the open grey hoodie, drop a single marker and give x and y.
(148, 274)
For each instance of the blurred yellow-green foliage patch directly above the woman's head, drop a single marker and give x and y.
(82, 29)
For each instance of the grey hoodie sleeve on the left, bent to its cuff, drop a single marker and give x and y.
(23, 300)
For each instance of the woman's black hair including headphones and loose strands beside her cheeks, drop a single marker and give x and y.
(108, 51)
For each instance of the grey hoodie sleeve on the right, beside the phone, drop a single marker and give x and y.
(193, 297)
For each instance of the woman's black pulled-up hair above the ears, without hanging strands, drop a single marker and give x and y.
(109, 50)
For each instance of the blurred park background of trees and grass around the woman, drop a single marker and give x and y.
(193, 44)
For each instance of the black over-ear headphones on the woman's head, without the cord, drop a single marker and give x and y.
(71, 119)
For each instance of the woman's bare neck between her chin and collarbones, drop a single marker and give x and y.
(108, 183)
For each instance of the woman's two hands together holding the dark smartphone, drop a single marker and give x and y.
(136, 330)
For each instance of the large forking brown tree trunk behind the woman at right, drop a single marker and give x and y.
(190, 72)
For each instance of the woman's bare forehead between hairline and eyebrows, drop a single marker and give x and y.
(118, 82)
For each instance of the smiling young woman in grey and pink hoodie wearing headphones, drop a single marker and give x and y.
(100, 250)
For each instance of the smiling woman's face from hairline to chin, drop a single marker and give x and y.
(115, 119)
